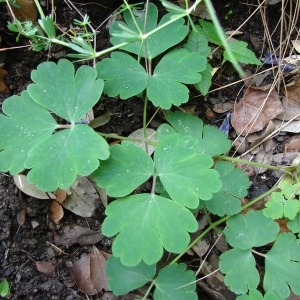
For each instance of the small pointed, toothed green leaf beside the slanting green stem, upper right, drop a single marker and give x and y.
(241, 53)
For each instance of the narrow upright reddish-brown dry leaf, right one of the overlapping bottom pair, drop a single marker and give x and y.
(98, 275)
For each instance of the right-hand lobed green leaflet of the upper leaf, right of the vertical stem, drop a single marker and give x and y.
(169, 79)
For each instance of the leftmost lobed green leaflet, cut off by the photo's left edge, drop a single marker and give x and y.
(25, 124)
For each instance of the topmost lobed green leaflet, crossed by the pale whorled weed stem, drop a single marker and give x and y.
(155, 43)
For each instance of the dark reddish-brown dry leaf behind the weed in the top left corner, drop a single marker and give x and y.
(26, 11)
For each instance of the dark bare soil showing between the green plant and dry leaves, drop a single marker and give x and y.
(21, 246)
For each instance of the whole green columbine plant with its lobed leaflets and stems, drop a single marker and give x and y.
(187, 161)
